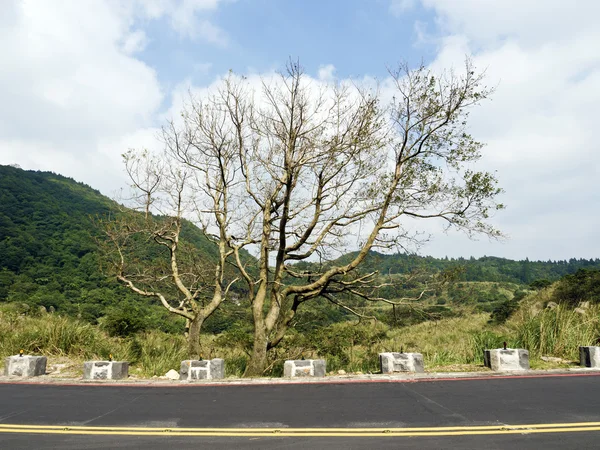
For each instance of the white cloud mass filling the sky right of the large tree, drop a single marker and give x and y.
(540, 124)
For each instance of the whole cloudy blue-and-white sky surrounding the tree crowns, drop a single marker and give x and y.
(82, 81)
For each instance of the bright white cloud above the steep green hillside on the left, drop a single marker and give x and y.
(75, 95)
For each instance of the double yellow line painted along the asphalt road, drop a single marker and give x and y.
(305, 432)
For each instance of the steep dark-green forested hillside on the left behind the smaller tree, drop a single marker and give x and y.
(49, 255)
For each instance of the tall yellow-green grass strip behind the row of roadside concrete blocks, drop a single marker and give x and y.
(451, 344)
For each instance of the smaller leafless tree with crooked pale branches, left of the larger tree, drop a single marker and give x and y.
(145, 248)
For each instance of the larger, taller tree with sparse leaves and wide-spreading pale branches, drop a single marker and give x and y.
(295, 170)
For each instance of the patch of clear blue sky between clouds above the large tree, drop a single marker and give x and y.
(357, 36)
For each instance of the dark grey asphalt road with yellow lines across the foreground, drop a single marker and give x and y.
(372, 415)
